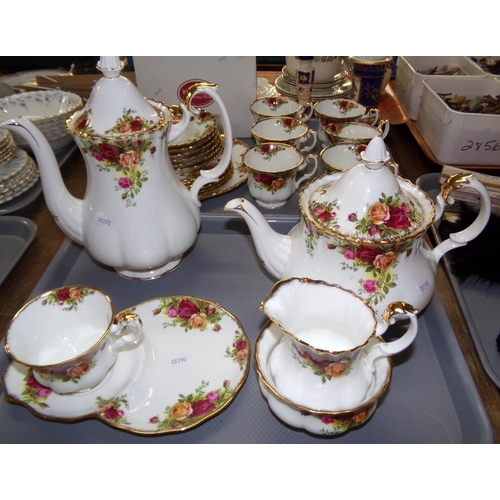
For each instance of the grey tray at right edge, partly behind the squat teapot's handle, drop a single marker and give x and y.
(478, 300)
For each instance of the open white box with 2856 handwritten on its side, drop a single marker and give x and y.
(454, 137)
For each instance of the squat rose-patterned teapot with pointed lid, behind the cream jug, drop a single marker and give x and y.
(364, 230)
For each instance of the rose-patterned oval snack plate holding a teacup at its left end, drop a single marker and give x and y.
(189, 366)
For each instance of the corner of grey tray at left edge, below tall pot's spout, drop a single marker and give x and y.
(16, 235)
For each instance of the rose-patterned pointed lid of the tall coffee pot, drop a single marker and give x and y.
(115, 106)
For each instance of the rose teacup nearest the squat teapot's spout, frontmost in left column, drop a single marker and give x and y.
(272, 172)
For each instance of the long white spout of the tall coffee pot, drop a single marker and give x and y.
(65, 208)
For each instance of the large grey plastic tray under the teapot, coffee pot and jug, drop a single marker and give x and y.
(431, 397)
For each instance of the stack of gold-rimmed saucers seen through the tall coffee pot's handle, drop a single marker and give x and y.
(198, 148)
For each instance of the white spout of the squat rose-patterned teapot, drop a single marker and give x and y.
(273, 248)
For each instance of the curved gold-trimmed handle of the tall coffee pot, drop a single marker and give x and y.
(207, 176)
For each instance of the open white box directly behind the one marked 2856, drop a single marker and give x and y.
(409, 82)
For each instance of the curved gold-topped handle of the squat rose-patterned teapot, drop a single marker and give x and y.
(461, 238)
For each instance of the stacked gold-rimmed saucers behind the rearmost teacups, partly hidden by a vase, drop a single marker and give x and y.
(339, 86)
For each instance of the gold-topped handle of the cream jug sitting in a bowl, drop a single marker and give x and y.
(391, 348)
